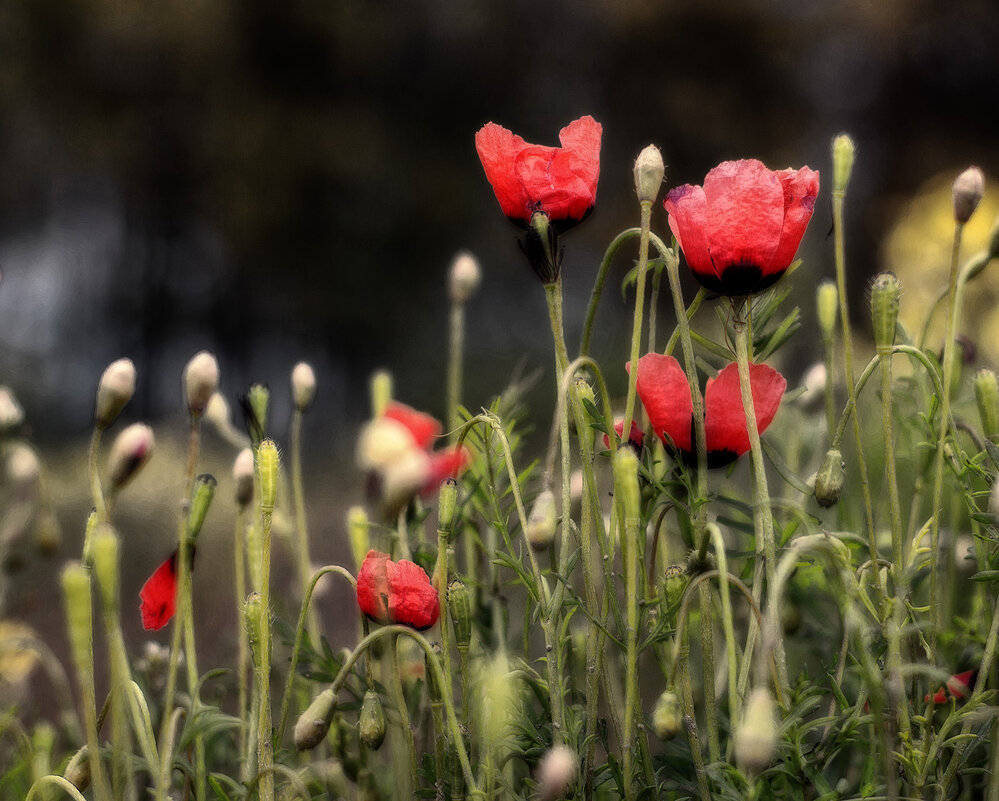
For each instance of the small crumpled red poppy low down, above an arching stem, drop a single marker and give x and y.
(396, 592)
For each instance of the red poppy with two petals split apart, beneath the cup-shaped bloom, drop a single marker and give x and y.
(662, 386)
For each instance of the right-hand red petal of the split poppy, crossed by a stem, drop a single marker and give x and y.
(724, 417)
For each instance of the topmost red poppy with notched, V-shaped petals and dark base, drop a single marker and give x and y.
(561, 182)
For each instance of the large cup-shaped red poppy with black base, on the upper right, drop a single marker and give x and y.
(740, 231)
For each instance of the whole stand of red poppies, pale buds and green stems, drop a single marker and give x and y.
(716, 586)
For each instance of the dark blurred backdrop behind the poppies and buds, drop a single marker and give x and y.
(276, 181)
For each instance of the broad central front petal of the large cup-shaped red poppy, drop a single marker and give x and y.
(746, 213)
